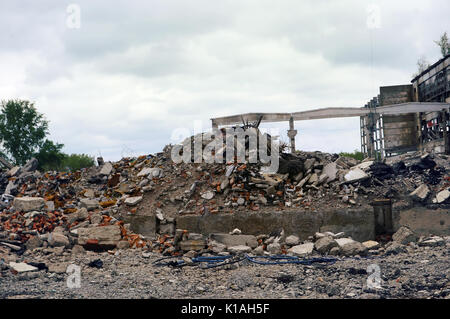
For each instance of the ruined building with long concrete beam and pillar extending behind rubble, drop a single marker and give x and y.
(401, 118)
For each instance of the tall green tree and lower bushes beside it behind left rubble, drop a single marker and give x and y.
(24, 134)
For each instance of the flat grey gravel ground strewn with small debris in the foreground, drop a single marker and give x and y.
(420, 272)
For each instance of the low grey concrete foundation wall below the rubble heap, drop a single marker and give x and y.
(357, 223)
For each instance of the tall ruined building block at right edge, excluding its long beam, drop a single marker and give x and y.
(426, 130)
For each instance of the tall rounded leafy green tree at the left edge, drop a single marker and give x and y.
(22, 130)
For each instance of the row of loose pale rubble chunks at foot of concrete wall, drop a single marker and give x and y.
(327, 243)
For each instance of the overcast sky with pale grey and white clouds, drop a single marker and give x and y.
(118, 81)
